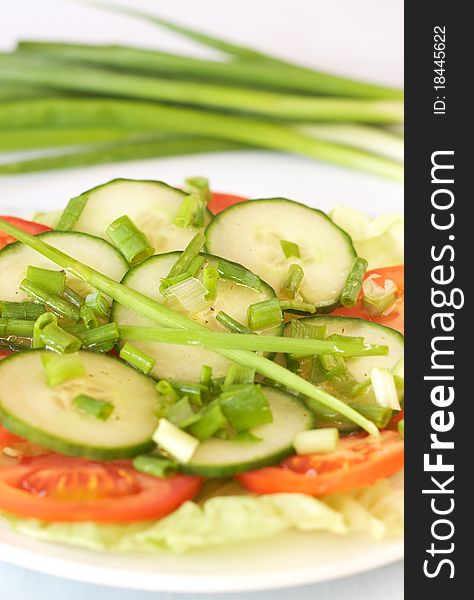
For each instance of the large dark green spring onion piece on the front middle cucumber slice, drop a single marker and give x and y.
(245, 407)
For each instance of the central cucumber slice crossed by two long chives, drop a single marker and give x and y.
(185, 362)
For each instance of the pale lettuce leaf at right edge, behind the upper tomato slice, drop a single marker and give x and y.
(377, 239)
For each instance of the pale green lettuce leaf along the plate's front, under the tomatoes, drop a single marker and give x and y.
(376, 510)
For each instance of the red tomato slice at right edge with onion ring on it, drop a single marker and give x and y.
(396, 317)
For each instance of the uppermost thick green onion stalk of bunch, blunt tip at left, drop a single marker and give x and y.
(246, 73)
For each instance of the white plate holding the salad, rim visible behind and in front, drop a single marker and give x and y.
(288, 559)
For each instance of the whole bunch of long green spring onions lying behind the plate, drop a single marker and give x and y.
(91, 104)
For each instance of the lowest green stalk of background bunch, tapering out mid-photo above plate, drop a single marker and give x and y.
(119, 152)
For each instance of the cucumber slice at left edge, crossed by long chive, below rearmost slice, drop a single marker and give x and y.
(93, 251)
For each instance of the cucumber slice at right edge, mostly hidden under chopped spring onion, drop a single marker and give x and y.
(373, 333)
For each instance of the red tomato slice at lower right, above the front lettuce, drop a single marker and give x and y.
(359, 461)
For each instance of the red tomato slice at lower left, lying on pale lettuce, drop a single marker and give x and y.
(64, 489)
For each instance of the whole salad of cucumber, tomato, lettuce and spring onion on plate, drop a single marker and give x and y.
(181, 368)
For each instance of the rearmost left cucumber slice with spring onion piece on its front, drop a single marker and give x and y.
(151, 205)
